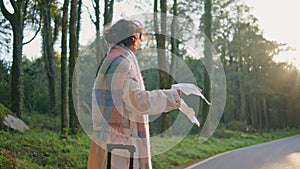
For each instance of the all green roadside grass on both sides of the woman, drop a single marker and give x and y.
(45, 149)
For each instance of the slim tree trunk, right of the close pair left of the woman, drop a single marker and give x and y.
(73, 81)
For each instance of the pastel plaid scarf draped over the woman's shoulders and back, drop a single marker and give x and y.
(108, 107)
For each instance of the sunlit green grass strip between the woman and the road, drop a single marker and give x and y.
(191, 150)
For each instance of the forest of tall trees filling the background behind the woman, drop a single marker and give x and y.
(261, 95)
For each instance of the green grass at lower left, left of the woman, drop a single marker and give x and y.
(42, 150)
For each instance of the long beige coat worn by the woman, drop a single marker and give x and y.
(137, 104)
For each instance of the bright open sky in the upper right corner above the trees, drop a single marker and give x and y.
(279, 21)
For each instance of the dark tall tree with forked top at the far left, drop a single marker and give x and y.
(17, 19)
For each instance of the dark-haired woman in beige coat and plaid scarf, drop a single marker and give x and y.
(121, 104)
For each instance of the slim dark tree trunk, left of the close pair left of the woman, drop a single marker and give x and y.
(64, 70)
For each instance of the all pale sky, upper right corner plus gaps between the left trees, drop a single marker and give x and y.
(278, 19)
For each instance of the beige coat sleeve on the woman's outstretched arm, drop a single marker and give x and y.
(145, 102)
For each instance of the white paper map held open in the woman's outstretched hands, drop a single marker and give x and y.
(189, 88)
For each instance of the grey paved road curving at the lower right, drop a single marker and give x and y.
(278, 154)
